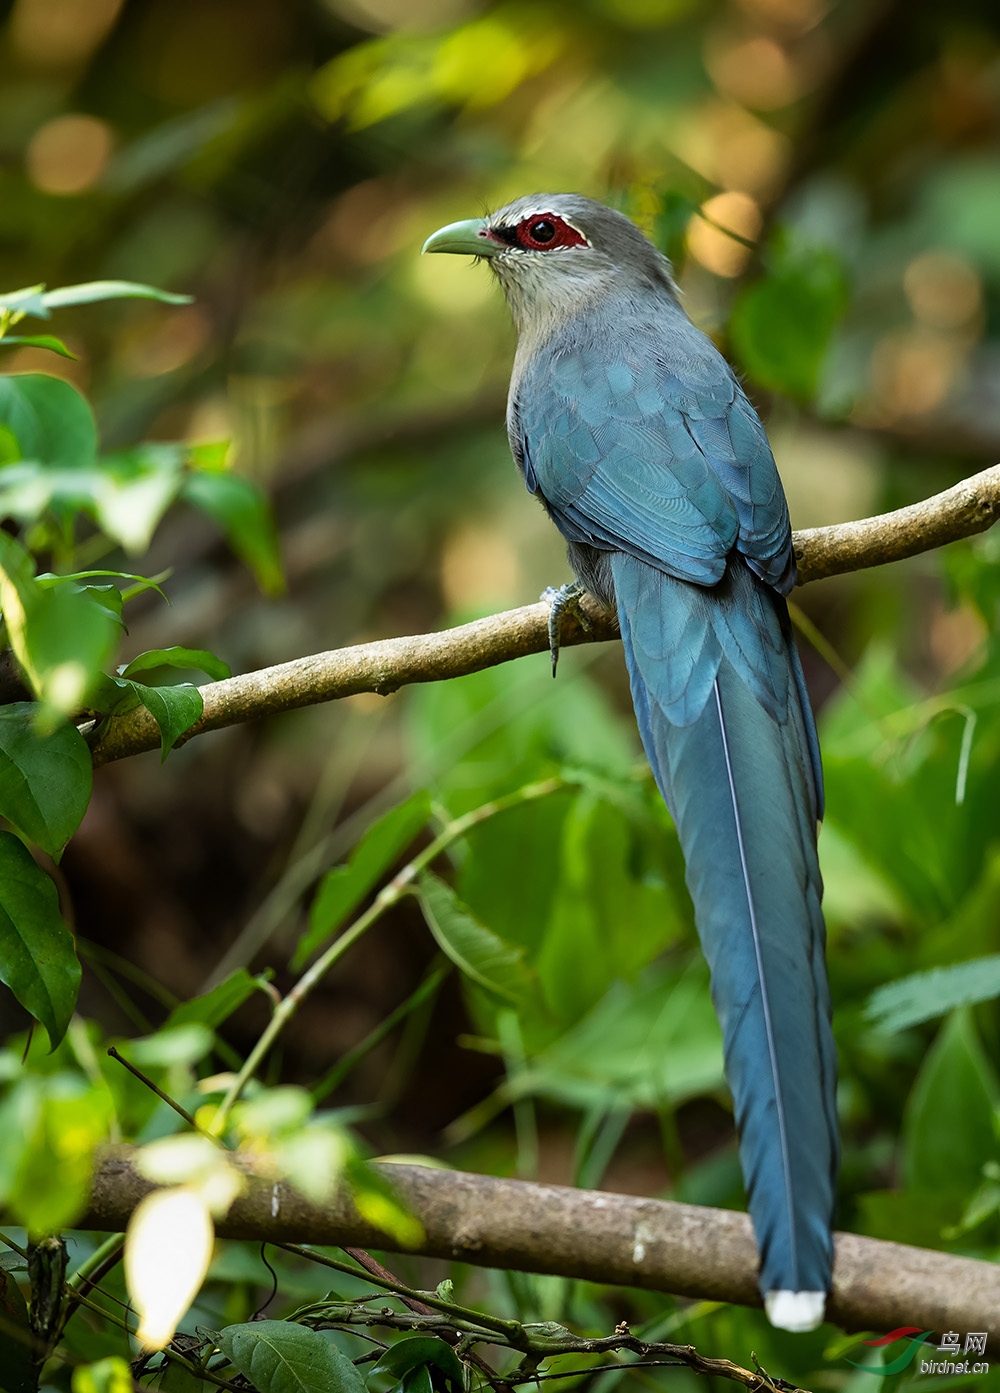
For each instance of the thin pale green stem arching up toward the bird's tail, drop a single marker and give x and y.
(400, 887)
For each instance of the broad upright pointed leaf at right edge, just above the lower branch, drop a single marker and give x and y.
(949, 1130)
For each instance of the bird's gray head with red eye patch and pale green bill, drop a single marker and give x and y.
(555, 254)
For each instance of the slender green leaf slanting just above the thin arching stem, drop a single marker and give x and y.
(345, 888)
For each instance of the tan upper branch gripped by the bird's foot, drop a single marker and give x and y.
(971, 506)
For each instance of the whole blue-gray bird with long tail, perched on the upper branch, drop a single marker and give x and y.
(634, 434)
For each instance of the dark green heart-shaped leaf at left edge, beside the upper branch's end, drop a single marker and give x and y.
(45, 779)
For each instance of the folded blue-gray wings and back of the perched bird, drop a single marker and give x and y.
(647, 444)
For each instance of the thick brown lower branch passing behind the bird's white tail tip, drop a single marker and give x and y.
(687, 1250)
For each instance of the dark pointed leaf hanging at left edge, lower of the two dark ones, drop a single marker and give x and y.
(38, 960)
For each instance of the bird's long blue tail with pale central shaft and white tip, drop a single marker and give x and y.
(728, 728)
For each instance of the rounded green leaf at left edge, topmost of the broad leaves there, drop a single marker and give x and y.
(51, 421)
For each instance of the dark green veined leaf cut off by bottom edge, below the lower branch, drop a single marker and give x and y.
(281, 1357)
